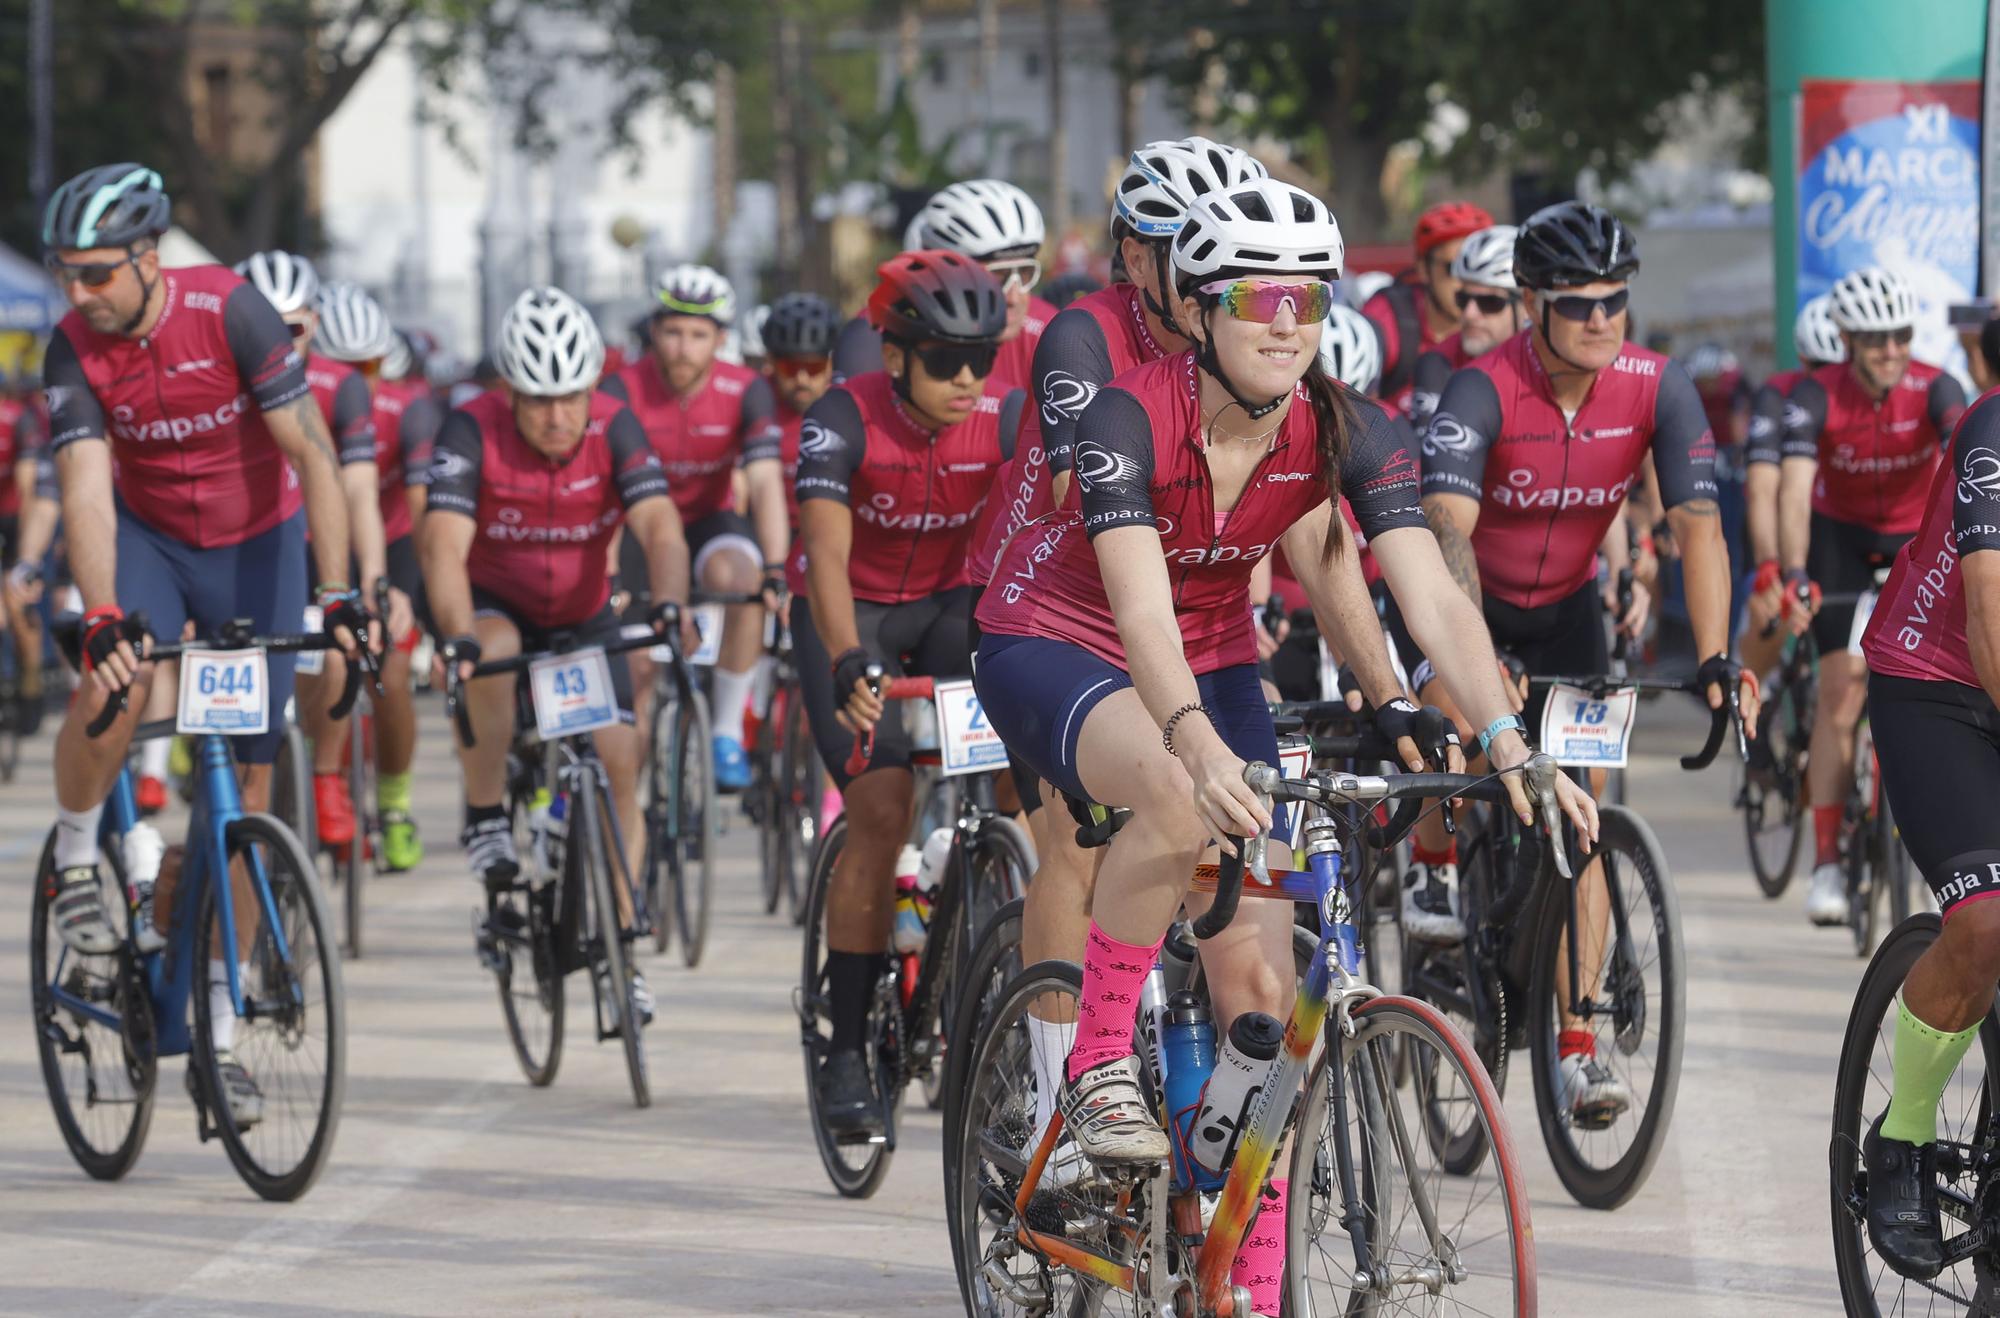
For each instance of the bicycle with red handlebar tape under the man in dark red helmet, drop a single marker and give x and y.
(989, 865)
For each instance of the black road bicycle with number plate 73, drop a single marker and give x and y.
(1543, 959)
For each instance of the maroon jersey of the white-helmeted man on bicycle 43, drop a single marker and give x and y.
(543, 529)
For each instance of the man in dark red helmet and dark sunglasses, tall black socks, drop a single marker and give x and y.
(895, 467)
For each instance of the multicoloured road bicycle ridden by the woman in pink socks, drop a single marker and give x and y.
(1033, 1247)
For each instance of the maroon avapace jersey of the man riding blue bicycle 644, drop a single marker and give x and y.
(183, 407)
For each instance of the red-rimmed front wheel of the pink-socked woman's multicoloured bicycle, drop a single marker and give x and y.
(1383, 1029)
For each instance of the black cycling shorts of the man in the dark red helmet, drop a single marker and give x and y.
(917, 639)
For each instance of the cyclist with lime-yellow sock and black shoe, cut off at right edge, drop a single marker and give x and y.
(1933, 651)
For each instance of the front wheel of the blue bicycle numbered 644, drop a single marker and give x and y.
(293, 1031)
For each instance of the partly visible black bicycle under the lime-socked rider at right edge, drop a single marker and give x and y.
(1969, 1137)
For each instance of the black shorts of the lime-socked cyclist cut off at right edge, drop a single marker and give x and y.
(1939, 747)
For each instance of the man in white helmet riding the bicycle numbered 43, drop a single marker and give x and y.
(527, 493)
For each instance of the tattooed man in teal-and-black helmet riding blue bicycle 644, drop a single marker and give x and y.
(191, 381)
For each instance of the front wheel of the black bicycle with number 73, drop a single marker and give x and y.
(1611, 1185)
